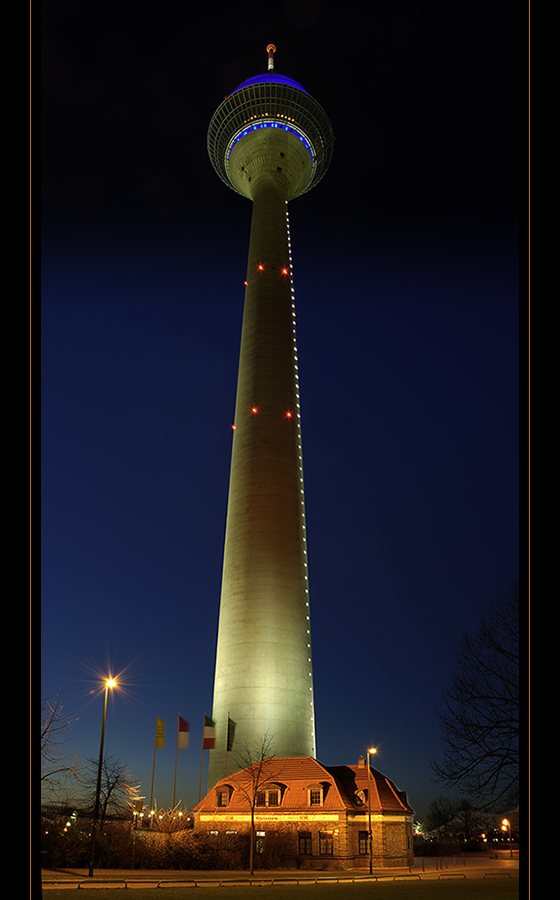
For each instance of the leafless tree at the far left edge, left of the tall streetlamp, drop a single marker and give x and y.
(56, 762)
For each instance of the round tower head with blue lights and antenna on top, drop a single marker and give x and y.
(253, 111)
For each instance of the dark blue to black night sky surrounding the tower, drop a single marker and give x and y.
(406, 271)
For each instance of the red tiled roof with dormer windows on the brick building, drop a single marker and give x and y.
(340, 784)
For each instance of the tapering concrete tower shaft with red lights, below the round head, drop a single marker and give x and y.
(263, 674)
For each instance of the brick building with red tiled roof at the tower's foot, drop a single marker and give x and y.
(323, 811)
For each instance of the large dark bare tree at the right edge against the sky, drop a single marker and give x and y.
(480, 715)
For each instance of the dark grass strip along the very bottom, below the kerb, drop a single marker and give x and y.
(495, 888)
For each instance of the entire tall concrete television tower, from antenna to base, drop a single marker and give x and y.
(269, 141)
